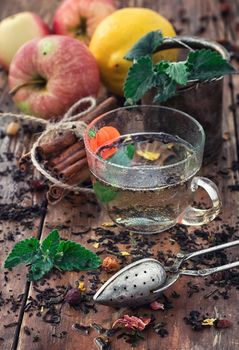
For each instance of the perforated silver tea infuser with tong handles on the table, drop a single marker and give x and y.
(142, 281)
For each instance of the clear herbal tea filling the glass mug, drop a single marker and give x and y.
(148, 207)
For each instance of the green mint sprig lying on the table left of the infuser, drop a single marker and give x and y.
(53, 252)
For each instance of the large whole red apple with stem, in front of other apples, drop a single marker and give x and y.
(48, 75)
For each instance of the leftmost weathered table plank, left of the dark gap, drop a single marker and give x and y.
(14, 287)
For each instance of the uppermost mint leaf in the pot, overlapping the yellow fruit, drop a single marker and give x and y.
(147, 45)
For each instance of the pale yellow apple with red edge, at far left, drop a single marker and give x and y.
(17, 30)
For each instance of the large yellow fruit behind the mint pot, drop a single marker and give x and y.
(115, 36)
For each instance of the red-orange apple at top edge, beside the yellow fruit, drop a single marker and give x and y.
(79, 18)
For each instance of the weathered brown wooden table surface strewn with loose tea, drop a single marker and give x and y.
(22, 324)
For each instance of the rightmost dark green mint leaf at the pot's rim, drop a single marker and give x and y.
(207, 64)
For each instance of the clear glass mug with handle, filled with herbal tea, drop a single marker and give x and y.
(146, 181)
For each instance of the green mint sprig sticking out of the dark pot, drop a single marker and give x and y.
(165, 76)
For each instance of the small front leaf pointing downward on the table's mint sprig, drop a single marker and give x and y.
(40, 267)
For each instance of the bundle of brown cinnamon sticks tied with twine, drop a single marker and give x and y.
(65, 155)
